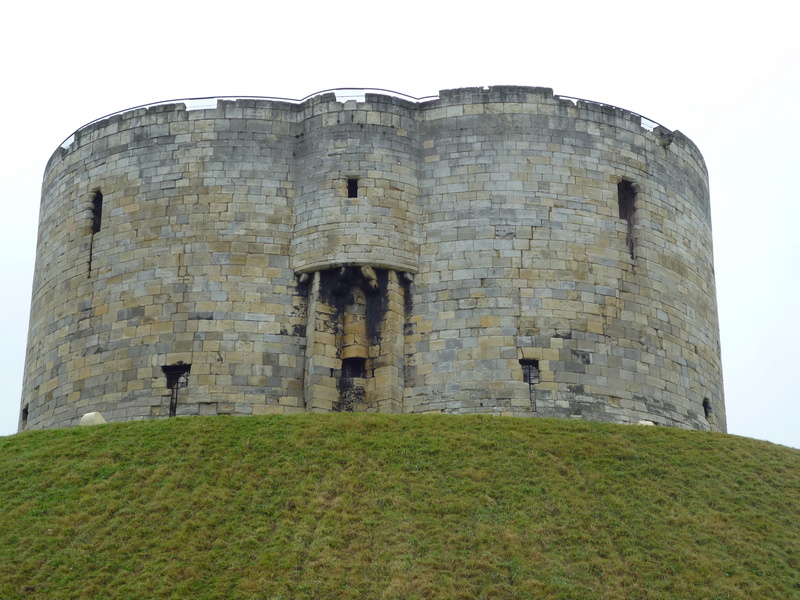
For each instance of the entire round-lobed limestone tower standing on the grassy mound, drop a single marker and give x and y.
(501, 251)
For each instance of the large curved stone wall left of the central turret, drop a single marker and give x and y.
(190, 266)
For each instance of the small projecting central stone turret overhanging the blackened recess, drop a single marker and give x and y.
(373, 144)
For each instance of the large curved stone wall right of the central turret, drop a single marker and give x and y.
(527, 259)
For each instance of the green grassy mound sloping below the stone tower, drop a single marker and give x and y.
(396, 507)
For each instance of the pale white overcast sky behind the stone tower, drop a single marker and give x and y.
(729, 78)
